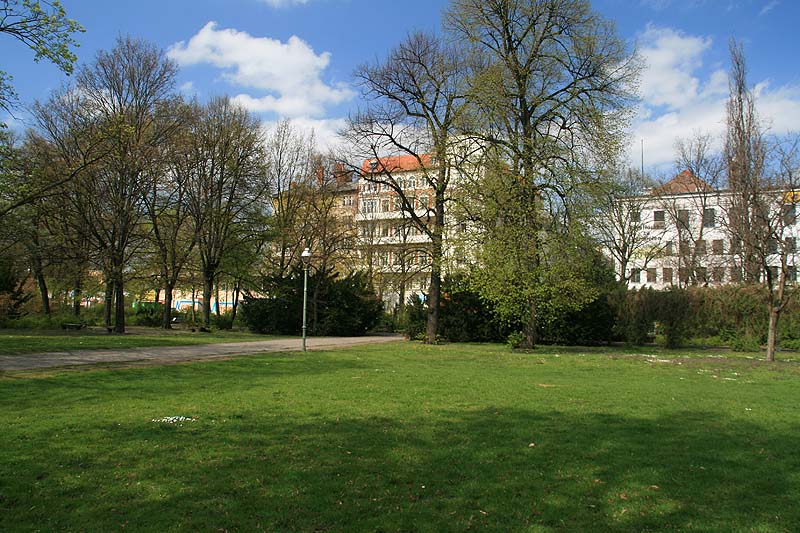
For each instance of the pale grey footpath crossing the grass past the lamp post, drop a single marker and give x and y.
(171, 354)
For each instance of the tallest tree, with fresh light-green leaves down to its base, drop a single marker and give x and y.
(552, 91)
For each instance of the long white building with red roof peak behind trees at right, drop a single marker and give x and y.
(686, 239)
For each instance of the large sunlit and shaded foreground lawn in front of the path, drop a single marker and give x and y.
(406, 437)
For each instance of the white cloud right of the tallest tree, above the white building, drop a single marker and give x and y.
(679, 100)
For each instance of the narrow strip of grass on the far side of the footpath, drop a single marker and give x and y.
(33, 341)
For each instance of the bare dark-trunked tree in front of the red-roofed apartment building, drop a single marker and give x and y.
(417, 100)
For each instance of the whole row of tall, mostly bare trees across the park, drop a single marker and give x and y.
(516, 114)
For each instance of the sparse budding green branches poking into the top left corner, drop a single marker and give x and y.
(43, 27)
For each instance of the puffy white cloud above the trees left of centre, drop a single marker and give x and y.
(290, 72)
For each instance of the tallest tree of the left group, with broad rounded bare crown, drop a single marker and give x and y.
(118, 116)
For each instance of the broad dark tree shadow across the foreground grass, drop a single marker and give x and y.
(494, 469)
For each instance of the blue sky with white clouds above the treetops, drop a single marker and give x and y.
(294, 58)
